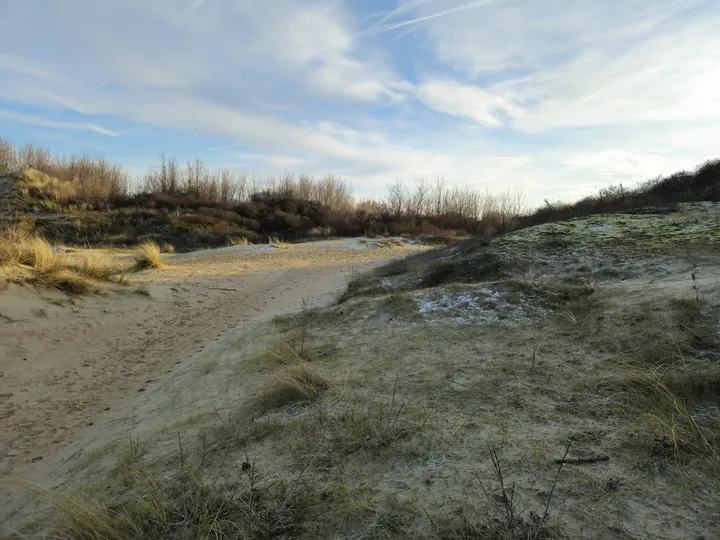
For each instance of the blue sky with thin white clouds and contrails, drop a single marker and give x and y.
(555, 97)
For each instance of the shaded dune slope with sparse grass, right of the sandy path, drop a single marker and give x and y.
(595, 416)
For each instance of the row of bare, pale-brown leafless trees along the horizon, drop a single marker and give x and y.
(96, 177)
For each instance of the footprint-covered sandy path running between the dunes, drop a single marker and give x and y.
(64, 365)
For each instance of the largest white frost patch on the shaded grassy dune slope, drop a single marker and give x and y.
(481, 306)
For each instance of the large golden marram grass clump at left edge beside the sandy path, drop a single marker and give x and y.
(28, 257)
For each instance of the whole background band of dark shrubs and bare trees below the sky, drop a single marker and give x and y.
(87, 200)
